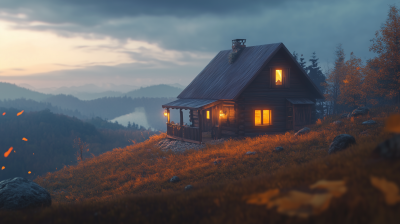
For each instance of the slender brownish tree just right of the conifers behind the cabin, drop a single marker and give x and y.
(334, 80)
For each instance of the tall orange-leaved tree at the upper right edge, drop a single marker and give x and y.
(386, 66)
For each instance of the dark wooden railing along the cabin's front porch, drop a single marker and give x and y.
(184, 133)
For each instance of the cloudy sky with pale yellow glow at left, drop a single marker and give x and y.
(54, 43)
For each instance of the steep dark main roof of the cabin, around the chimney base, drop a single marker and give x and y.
(220, 80)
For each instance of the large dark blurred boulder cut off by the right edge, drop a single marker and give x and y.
(389, 149)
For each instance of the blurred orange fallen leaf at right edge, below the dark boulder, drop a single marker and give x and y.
(388, 188)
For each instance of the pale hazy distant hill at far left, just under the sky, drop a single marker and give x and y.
(10, 91)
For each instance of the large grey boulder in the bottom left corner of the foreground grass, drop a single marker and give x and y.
(19, 193)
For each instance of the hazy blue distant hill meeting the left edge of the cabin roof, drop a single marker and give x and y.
(155, 91)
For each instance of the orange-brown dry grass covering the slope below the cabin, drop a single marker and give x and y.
(131, 184)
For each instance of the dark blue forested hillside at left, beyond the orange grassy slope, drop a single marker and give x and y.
(50, 139)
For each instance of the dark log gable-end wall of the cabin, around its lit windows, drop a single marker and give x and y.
(259, 95)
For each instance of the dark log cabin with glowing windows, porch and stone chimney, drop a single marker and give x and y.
(245, 91)
